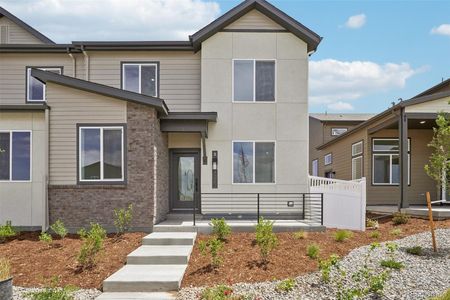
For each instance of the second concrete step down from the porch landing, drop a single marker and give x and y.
(160, 255)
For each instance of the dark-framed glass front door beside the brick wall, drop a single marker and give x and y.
(184, 179)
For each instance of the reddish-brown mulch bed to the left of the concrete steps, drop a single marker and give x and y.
(34, 264)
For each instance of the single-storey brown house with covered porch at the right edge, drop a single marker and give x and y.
(390, 150)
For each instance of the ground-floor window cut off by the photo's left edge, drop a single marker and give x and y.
(15, 155)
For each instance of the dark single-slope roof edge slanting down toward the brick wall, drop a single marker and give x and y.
(46, 76)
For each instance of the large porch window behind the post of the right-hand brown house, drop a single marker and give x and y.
(386, 161)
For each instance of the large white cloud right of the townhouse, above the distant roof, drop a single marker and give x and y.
(336, 83)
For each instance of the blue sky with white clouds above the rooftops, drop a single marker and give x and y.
(372, 54)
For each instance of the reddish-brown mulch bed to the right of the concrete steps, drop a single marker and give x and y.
(241, 260)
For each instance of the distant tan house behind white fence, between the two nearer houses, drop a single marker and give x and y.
(323, 128)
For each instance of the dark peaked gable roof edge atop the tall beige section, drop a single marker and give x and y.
(295, 27)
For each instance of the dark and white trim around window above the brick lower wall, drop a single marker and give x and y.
(123, 180)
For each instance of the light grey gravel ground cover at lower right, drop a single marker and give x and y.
(422, 277)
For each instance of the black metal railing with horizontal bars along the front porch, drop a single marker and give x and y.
(253, 206)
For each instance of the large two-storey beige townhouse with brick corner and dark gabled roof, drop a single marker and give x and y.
(88, 127)
